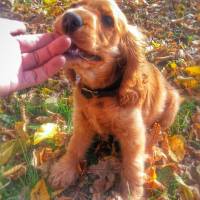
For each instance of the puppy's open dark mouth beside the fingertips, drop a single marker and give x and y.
(75, 52)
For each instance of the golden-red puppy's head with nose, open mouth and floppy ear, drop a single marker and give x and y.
(104, 46)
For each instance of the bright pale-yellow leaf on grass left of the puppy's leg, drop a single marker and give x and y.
(46, 131)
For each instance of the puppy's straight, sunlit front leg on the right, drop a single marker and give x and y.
(132, 141)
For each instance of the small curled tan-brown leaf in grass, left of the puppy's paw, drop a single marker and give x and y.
(15, 172)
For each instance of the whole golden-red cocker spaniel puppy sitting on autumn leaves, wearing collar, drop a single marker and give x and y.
(116, 90)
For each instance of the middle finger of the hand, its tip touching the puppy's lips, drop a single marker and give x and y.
(39, 57)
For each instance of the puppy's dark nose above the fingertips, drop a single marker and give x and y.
(71, 22)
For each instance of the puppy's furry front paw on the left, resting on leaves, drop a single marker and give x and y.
(62, 175)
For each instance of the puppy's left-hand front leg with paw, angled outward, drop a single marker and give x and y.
(65, 171)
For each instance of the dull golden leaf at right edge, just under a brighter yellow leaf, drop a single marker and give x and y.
(188, 82)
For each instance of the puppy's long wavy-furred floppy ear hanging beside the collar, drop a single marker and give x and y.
(131, 47)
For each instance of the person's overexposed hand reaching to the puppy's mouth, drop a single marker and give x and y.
(28, 60)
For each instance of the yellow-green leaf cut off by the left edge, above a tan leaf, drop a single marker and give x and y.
(6, 151)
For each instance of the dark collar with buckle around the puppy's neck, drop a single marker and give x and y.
(109, 91)
